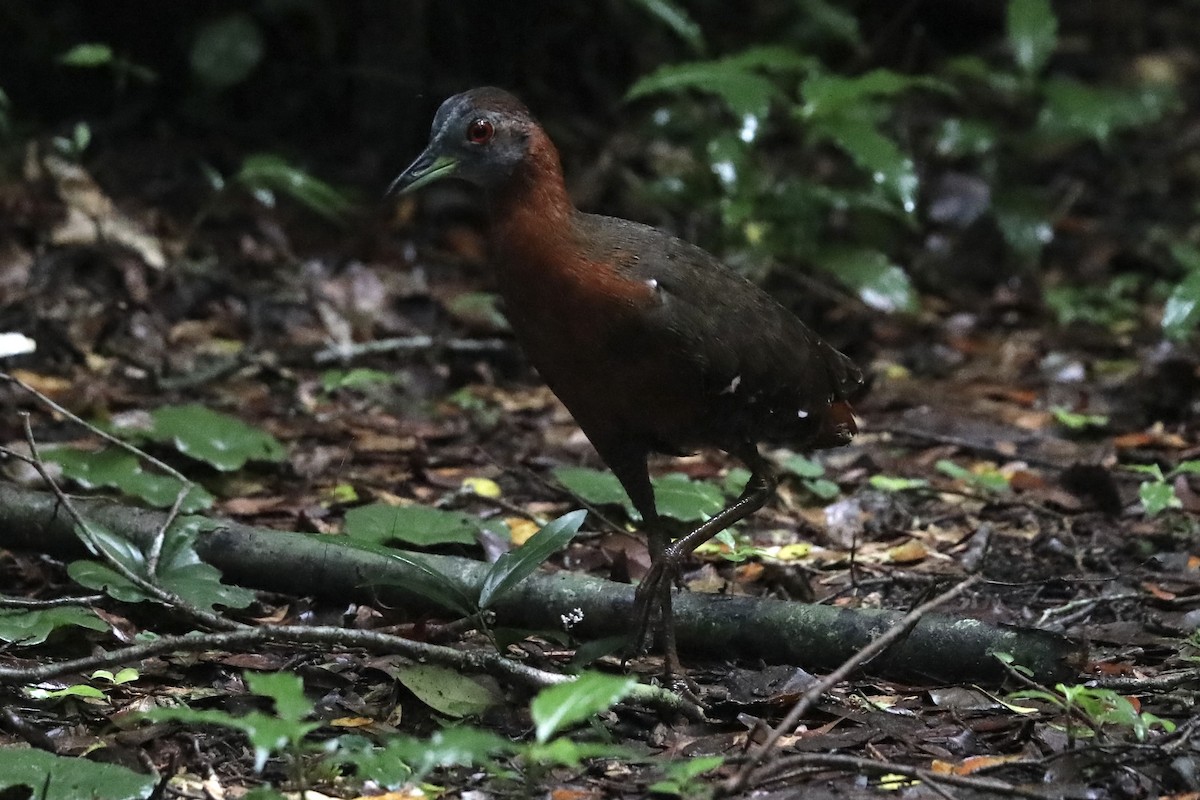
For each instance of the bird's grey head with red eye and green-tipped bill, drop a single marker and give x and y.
(479, 136)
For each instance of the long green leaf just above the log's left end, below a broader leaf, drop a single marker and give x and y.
(122, 471)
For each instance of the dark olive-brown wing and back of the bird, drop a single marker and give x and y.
(763, 374)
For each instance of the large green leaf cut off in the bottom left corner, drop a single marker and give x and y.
(57, 778)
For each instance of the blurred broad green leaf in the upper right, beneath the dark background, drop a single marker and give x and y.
(1075, 110)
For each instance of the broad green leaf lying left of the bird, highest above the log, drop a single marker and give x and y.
(219, 440)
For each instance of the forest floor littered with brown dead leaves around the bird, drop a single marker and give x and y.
(994, 443)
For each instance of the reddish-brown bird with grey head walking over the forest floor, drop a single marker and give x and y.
(653, 345)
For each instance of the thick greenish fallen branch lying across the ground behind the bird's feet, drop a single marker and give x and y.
(939, 649)
